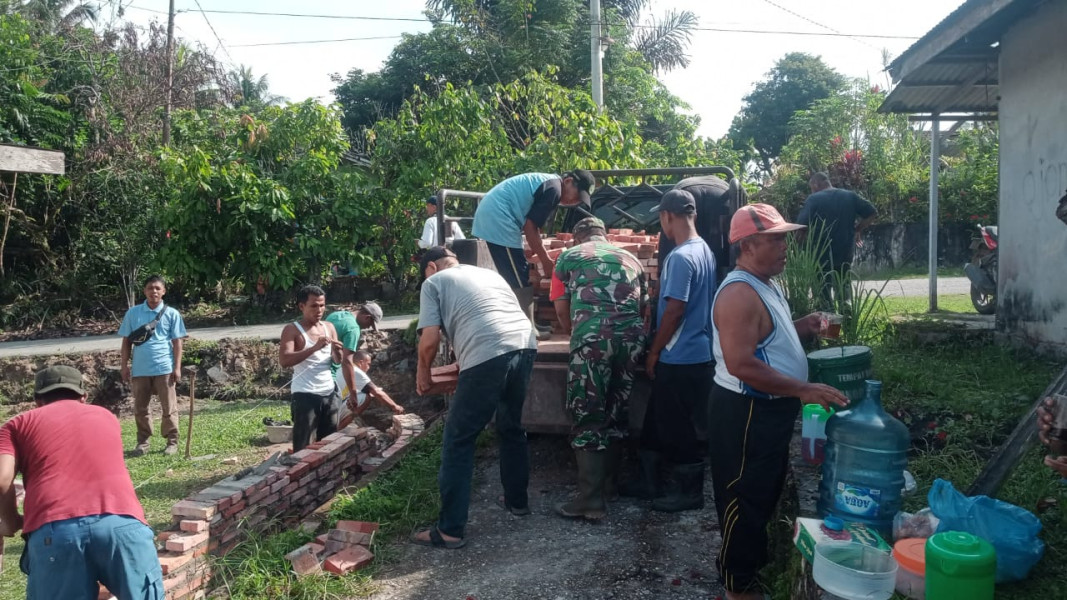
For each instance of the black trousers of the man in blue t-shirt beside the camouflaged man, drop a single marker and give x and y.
(679, 398)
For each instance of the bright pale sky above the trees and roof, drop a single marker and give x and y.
(724, 66)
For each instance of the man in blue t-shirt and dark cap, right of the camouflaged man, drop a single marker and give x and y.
(680, 359)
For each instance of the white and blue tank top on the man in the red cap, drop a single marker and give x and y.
(782, 350)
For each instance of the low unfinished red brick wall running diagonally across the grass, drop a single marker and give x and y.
(213, 522)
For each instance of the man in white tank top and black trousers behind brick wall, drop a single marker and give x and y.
(310, 348)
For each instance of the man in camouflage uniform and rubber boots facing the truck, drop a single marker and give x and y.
(599, 294)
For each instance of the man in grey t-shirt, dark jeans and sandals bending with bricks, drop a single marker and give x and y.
(496, 349)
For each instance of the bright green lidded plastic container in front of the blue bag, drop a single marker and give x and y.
(960, 566)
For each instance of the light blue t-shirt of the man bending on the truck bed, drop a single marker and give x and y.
(504, 211)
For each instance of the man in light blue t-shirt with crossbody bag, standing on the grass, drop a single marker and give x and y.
(157, 364)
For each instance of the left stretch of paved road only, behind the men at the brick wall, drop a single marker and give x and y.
(103, 343)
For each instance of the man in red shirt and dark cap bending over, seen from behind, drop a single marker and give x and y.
(83, 523)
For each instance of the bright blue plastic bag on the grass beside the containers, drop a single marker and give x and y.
(1013, 531)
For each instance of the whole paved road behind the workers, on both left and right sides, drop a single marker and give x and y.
(99, 343)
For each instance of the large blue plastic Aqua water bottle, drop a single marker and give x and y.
(867, 452)
